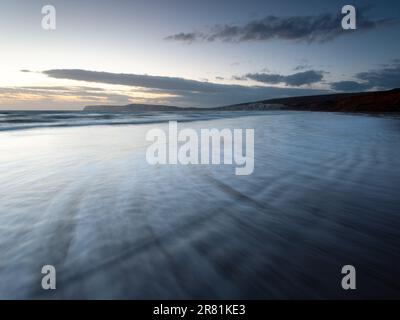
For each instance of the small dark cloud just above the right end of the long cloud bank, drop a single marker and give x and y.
(296, 79)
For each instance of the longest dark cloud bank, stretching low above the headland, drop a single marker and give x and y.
(184, 92)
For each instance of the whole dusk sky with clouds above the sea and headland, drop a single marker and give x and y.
(192, 53)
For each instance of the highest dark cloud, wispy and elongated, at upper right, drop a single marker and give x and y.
(319, 28)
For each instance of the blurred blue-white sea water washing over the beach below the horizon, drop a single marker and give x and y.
(76, 192)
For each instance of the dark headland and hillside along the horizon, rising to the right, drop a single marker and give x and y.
(371, 102)
